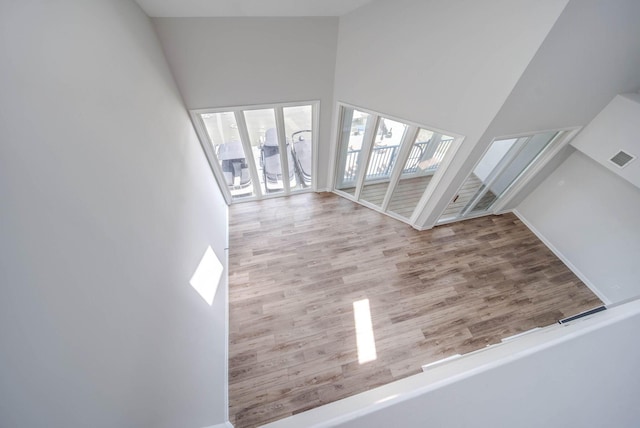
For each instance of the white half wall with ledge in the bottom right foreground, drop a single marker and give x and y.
(580, 375)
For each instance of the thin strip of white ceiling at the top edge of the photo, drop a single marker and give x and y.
(237, 8)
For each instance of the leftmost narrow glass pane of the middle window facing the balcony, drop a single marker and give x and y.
(351, 139)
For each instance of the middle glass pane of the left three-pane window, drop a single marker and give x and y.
(261, 127)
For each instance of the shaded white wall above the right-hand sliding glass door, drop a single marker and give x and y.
(591, 54)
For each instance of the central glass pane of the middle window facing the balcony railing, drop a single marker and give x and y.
(382, 159)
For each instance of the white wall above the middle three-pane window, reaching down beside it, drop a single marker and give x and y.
(447, 64)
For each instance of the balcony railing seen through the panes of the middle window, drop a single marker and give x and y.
(383, 159)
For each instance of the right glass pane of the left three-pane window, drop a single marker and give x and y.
(298, 123)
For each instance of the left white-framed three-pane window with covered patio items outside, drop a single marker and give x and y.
(260, 151)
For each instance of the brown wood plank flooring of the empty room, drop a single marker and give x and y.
(298, 264)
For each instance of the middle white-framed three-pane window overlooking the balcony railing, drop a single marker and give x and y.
(388, 164)
